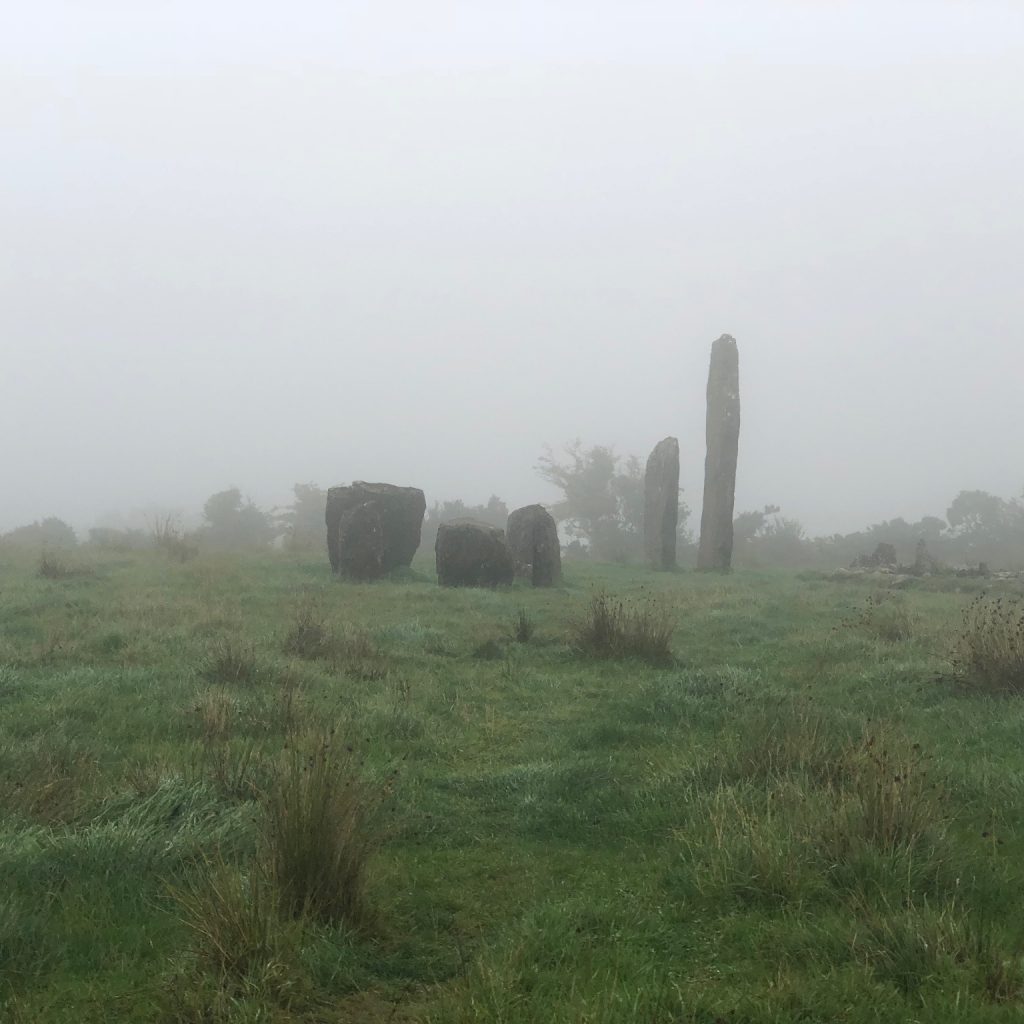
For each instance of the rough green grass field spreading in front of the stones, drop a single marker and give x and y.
(804, 816)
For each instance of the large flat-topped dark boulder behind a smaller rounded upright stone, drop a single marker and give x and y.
(401, 513)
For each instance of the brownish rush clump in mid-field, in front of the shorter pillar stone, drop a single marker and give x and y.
(616, 628)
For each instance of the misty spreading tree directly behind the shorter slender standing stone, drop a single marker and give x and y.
(603, 500)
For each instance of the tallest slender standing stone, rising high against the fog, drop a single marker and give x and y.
(720, 465)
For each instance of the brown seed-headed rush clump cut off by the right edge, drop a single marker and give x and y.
(990, 650)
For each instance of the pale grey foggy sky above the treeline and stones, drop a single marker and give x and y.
(259, 244)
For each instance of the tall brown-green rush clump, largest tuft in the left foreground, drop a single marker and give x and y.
(322, 832)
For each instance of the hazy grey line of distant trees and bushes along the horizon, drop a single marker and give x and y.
(601, 517)
